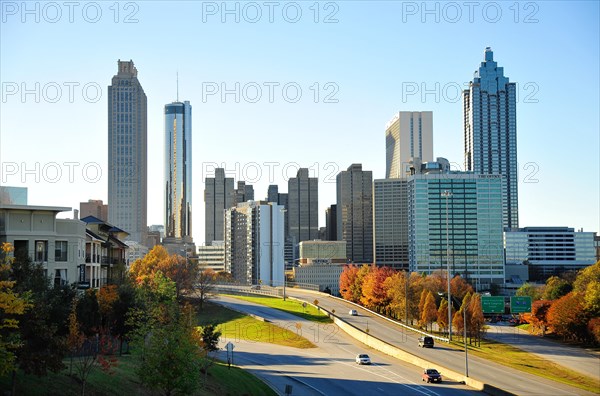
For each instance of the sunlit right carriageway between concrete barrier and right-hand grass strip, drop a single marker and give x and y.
(502, 377)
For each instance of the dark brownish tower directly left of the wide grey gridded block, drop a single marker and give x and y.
(355, 213)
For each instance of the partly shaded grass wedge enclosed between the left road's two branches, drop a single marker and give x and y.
(235, 326)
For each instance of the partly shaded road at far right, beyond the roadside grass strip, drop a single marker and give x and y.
(577, 359)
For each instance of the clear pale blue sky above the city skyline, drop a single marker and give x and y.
(279, 85)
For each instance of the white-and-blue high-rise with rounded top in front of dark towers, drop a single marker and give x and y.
(254, 243)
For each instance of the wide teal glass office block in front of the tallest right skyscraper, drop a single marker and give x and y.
(455, 221)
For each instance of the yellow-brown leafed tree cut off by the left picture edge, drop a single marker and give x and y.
(12, 305)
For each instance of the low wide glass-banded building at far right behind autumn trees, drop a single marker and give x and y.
(549, 250)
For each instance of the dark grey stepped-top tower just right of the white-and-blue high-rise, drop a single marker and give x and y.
(303, 207)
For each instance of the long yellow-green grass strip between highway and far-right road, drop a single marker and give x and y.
(516, 358)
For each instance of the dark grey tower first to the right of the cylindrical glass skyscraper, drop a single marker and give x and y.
(219, 195)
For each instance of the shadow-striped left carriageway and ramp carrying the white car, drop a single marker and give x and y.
(329, 369)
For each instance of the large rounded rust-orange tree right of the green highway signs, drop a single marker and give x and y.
(567, 317)
